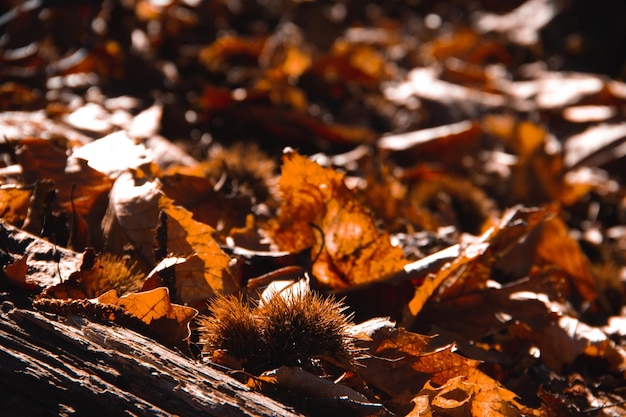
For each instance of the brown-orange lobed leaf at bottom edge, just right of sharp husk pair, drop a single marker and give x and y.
(403, 367)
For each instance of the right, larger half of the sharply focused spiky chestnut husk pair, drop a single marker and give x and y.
(298, 328)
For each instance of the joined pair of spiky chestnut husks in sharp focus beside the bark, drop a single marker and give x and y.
(294, 329)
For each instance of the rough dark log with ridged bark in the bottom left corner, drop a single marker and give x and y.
(51, 366)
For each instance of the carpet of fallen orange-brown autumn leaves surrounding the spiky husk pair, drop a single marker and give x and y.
(453, 171)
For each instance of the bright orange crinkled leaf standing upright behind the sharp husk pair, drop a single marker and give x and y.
(353, 250)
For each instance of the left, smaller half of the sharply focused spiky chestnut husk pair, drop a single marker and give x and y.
(231, 327)
